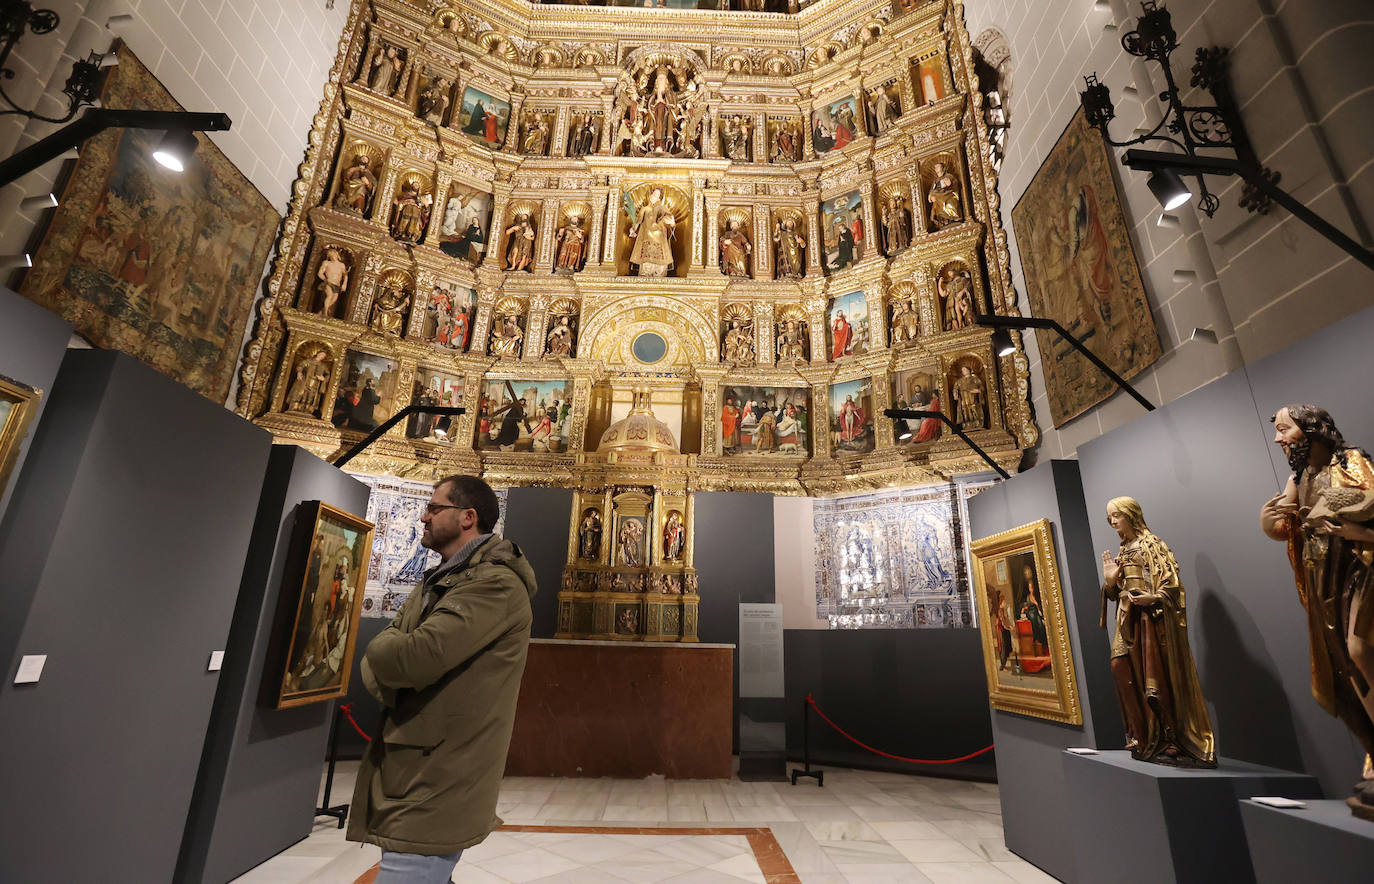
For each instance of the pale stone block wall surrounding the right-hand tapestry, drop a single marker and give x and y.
(1303, 83)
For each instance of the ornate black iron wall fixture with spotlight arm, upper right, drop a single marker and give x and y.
(1193, 129)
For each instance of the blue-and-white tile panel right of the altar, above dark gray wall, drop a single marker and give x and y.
(892, 560)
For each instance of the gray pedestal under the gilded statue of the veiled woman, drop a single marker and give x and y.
(1134, 821)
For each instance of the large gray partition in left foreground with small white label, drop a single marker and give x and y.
(123, 552)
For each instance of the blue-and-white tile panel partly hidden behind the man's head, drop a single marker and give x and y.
(398, 562)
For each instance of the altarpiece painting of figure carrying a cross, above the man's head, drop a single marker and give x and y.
(526, 416)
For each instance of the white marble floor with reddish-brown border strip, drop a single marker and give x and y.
(862, 828)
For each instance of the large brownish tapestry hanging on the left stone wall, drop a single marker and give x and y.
(159, 265)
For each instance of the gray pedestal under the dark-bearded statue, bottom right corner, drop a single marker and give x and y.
(1318, 843)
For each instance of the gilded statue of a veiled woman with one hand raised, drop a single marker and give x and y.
(1156, 680)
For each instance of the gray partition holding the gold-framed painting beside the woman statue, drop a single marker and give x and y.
(1035, 805)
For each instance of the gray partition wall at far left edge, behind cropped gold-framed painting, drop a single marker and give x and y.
(32, 344)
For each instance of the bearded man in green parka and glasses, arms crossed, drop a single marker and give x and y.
(447, 673)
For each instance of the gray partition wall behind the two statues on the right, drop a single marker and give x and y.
(1202, 468)
